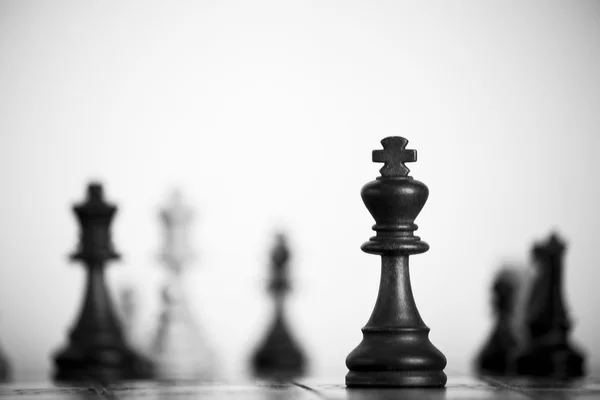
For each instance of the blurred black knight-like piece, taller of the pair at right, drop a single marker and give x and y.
(547, 351)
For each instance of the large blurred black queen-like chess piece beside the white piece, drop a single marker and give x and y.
(97, 349)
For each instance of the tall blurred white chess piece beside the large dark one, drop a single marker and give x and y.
(180, 350)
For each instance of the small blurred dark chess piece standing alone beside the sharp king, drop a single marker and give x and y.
(279, 357)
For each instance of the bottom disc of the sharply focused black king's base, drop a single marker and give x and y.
(405, 379)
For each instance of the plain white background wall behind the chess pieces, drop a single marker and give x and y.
(265, 114)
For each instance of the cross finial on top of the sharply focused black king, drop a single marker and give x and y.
(394, 155)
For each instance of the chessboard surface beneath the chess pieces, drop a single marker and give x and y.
(458, 387)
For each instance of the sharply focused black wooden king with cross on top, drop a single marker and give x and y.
(395, 350)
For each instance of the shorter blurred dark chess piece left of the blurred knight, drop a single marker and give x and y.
(497, 355)
